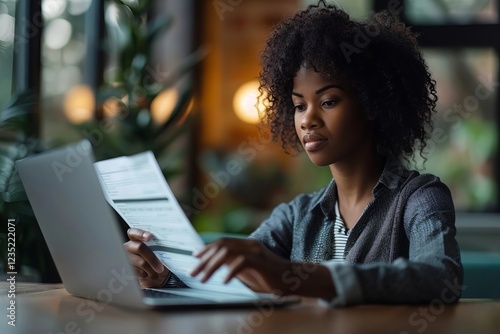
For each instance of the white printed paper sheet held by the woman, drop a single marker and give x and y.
(135, 187)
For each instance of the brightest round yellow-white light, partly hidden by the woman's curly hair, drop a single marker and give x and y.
(244, 102)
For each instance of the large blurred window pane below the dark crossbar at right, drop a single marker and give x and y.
(465, 137)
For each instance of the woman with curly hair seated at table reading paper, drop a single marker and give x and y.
(357, 97)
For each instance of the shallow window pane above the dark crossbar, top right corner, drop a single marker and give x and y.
(452, 11)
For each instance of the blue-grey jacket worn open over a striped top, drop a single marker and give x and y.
(402, 249)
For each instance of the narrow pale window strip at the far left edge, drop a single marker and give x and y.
(7, 23)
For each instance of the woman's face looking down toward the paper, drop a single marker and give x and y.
(329, 120)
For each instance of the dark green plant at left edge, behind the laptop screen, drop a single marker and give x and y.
(33, 260)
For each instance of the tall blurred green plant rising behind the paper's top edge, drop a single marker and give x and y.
(127, 125)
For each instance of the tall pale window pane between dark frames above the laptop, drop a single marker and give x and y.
(63, 54)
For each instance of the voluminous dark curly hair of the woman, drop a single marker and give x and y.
(379, 56)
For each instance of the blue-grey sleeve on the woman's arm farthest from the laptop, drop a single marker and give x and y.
(432, 273)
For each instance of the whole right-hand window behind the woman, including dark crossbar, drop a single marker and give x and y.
(461, 45)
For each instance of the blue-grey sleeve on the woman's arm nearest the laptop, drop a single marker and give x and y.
(276, 232)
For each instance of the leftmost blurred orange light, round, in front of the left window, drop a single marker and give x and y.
(79, 104)
